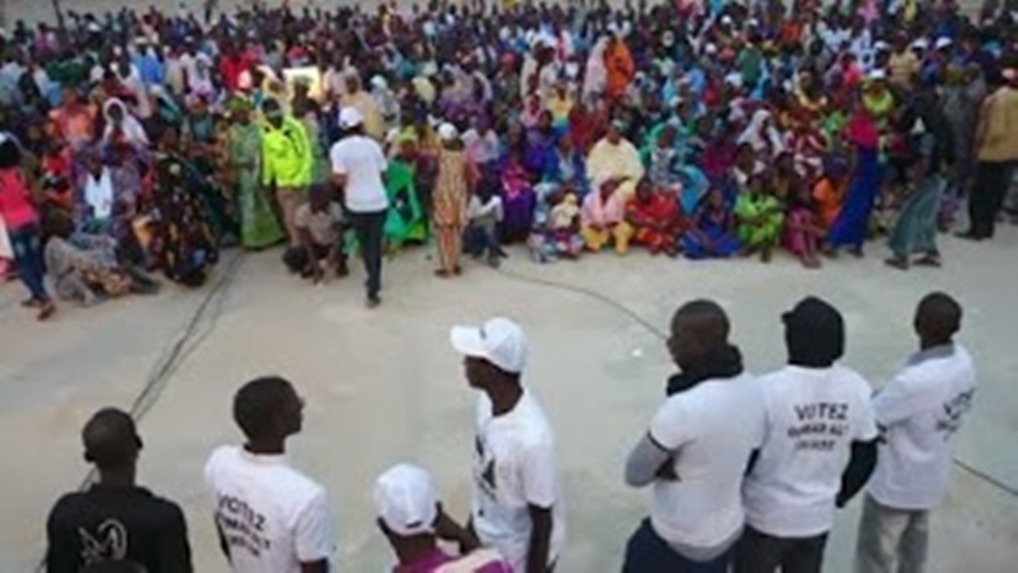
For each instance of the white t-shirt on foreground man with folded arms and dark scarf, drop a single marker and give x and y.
(714, 427)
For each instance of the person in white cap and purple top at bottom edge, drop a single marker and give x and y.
(412, 519)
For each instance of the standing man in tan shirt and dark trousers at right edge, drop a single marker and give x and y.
(996, 154)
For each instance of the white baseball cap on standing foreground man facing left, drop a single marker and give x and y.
(500, 341)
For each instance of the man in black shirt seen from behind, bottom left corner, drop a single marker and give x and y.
(116, 521)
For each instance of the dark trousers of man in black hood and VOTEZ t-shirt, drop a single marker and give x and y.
(760, 553)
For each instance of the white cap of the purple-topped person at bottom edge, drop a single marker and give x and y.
(406, 500)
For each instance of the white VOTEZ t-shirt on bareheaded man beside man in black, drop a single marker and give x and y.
(272, 517)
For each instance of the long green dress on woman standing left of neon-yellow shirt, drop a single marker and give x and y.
(259, 226)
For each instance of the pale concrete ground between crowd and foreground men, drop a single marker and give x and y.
(383, 386)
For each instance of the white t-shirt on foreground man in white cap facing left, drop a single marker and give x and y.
(514, 468)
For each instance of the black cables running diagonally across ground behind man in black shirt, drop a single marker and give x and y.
(176, 355)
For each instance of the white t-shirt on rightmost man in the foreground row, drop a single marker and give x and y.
(920, 411)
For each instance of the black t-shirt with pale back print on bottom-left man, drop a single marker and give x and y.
(108, 524)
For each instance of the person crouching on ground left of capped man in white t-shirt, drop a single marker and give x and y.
(320, 228)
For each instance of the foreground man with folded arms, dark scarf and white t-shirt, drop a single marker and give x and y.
(697, 451)
